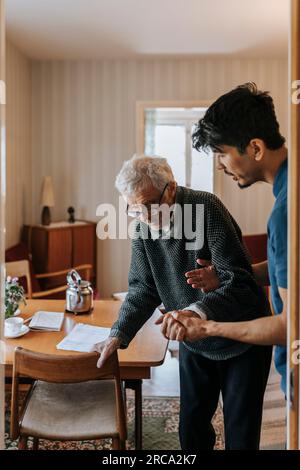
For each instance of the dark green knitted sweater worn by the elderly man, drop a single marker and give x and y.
(157, 274)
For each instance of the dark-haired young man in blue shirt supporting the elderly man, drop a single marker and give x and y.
(241, 127)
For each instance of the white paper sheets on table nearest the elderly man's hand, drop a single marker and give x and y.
(83, 337)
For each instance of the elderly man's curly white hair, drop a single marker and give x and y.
(140, 170)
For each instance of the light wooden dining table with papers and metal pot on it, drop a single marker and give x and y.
(146, 350)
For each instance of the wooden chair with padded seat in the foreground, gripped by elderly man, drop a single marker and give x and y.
(71, 399)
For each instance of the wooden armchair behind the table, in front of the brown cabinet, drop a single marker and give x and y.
(21, 269)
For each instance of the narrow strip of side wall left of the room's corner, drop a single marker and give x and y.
(18, 135)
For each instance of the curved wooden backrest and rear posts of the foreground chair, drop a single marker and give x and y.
(64, 369)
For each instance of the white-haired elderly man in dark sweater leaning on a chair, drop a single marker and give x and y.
(161, 255)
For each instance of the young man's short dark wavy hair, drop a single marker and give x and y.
(235, 118)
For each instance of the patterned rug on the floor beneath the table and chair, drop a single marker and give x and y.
(160, 428)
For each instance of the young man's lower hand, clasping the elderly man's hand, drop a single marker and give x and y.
(195, 327)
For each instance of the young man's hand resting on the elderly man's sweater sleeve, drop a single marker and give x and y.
(204, 278)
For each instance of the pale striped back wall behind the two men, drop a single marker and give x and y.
(84, 127)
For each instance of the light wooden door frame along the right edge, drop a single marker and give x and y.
(294, 230)
